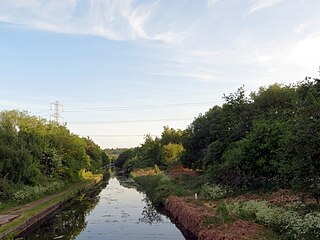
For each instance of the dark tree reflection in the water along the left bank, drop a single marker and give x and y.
(70, 220)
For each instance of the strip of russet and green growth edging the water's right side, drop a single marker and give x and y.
(206, 220)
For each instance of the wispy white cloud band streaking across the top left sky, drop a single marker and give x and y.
(112, 19)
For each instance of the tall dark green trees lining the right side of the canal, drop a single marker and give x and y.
(267, 139)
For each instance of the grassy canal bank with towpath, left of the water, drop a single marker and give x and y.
(18, 219)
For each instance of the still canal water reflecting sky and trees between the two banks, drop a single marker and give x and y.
(116, 210)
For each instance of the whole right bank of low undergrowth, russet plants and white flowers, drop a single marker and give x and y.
(273, 215)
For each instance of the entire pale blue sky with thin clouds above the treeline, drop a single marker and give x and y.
(148, 60)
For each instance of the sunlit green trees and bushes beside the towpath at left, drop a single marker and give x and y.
(39, 157)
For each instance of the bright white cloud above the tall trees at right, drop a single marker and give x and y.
(255, 64)
